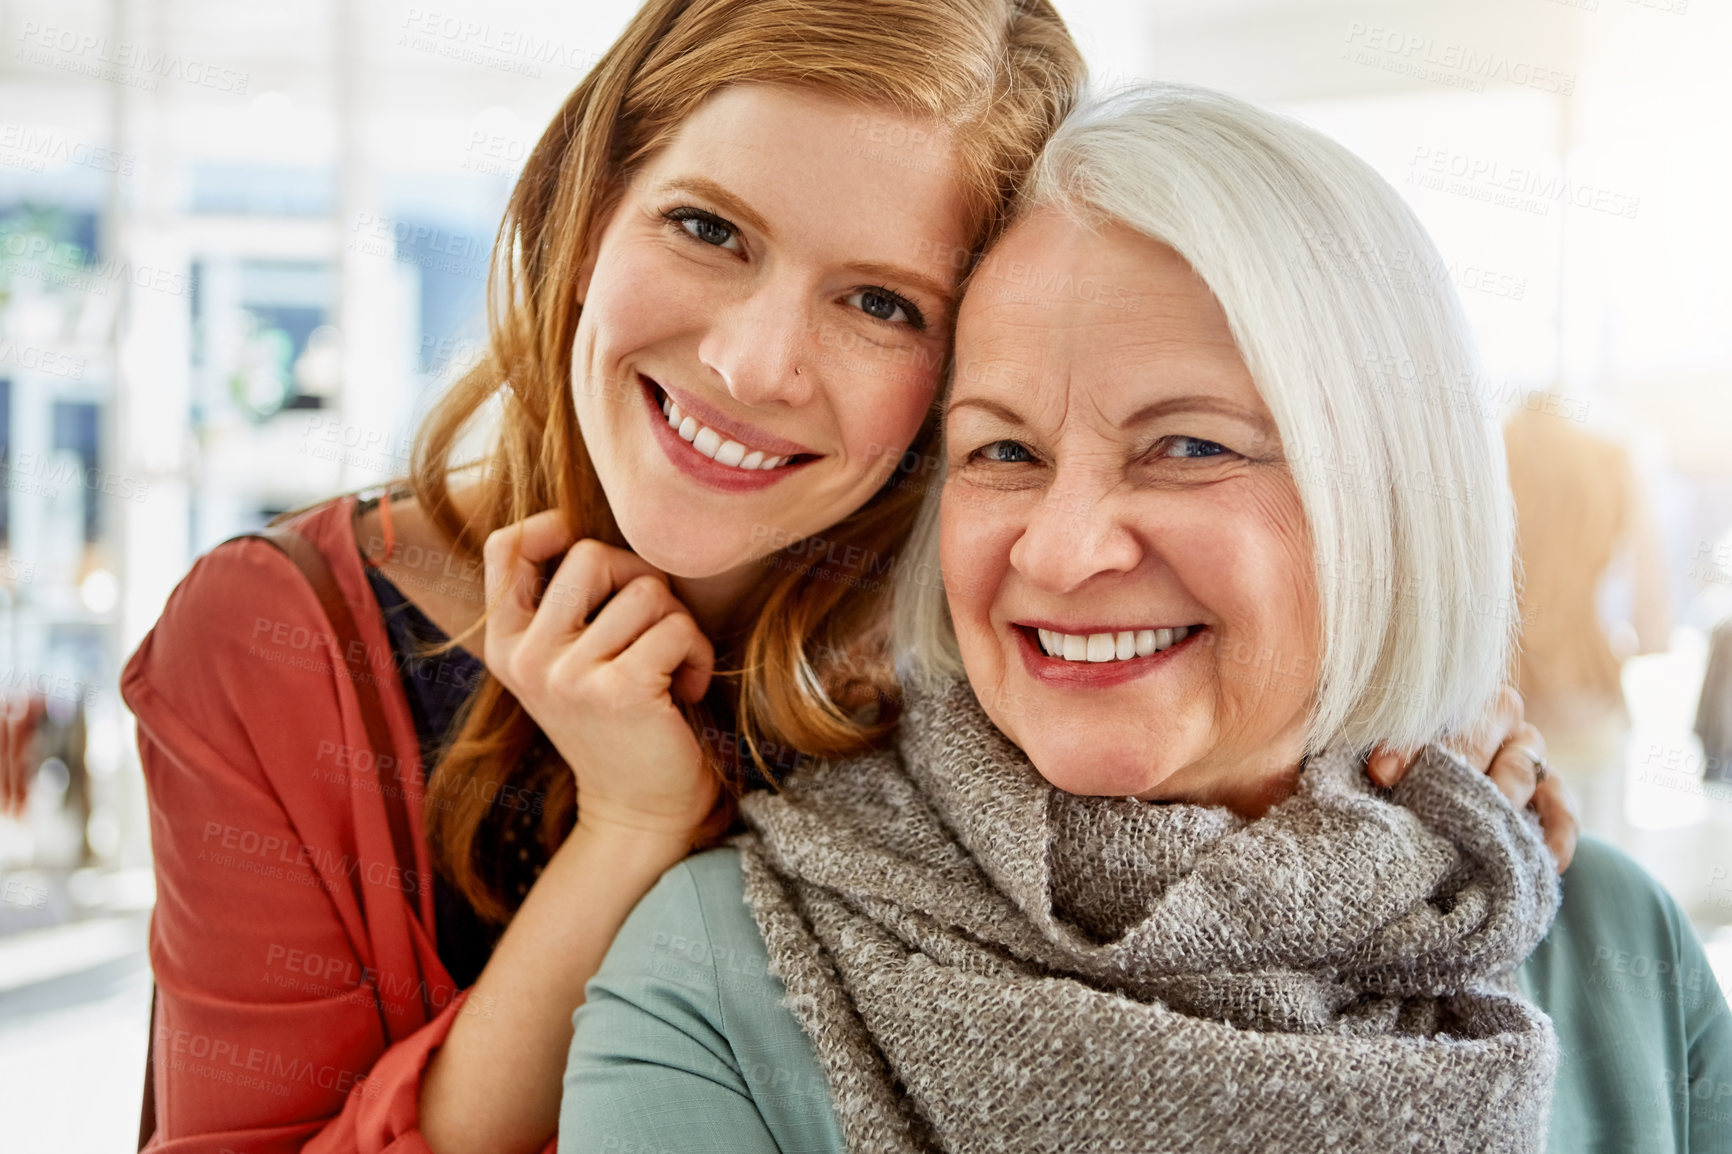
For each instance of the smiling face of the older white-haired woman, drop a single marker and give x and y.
(1141, 614)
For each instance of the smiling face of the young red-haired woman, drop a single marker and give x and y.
(794, 340)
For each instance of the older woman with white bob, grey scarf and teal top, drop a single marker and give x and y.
(1121, 885)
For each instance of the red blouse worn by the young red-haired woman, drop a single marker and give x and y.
(301, 990)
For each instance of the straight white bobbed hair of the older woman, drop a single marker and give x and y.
(1359, 346)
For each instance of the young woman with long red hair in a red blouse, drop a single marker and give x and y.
(721, 314)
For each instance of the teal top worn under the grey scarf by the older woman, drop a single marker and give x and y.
(683, 1042)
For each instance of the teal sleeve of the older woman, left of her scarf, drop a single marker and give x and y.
(652, 1066)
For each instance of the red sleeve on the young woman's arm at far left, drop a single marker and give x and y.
(269, 1034)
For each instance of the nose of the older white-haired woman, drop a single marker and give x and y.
(1075, 536)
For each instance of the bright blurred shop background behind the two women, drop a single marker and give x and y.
(243, 247)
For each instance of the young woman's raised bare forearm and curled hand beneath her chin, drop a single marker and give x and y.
(602, 659)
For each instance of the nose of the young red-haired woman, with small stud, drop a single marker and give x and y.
(756, 346)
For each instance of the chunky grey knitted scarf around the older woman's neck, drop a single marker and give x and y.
(988, 964)
